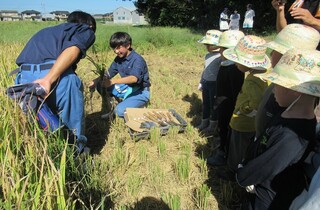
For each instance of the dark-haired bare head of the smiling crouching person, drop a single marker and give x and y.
(121, 43)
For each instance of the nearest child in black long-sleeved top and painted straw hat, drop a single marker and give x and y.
(273, 167)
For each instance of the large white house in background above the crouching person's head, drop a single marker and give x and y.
(128, 16)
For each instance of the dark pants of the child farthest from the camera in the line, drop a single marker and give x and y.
(208, 97)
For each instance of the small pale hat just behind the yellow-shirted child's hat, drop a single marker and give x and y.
(230, 38)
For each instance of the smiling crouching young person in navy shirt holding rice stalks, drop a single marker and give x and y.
(134, 74)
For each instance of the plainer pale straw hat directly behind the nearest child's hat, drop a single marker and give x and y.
(297, 36)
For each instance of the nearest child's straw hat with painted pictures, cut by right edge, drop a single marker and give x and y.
(297, 70)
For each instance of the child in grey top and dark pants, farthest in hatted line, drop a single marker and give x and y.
(207, 84)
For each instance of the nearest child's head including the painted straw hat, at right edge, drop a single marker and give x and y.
(296, 76)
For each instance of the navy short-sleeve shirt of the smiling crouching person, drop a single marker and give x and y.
(133, 65)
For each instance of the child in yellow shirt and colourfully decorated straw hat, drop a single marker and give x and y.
(250, 58)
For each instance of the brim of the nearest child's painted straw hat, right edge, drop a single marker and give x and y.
(309, 88)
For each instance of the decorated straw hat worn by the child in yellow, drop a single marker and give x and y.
(251, 52)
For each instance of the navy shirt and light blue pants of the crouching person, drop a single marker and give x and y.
(132, 65)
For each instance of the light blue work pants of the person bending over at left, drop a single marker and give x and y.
(66, 98)
